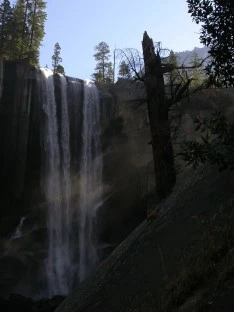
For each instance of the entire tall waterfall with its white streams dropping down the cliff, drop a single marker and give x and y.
(65, 265)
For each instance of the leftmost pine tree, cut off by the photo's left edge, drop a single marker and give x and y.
(6, 16)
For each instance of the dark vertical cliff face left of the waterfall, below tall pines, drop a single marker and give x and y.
(20, 141)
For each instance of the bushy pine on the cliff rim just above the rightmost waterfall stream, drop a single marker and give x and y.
(104, 69)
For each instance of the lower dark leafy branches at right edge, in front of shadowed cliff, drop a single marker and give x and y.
(216, 144)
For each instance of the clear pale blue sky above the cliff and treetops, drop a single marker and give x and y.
(79, 25)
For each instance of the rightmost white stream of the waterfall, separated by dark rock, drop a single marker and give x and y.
(90, 180)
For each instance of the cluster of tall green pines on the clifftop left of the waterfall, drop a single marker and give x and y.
(22, 30)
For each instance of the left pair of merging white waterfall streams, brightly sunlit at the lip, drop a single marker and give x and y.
(57, 187)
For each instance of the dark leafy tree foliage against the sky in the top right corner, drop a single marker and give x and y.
(217, 20)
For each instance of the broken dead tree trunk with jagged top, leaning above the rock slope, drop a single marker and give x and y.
(165, 176)
